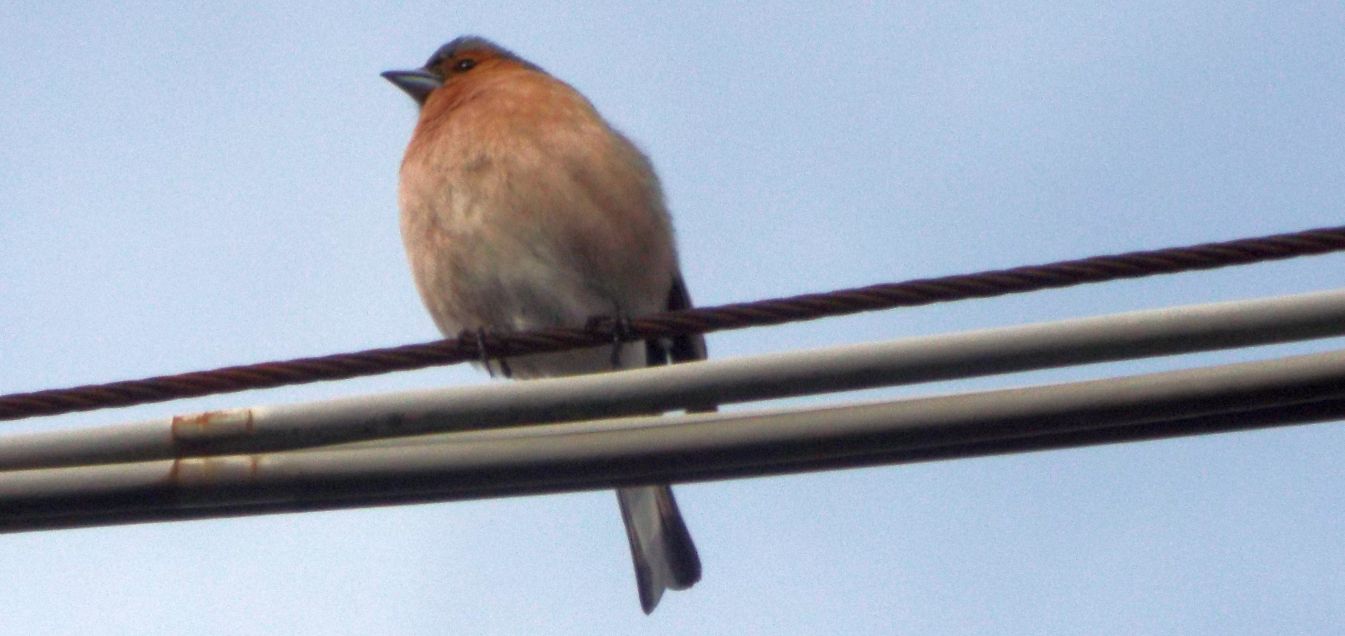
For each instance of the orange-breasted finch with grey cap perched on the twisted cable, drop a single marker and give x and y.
(523, 209)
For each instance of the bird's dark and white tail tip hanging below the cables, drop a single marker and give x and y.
(661, 547)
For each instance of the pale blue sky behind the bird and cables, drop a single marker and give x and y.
(193, 188)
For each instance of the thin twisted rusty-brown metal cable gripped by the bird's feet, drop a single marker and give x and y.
(701, 321)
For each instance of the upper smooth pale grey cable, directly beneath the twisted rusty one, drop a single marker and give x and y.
(863, 366)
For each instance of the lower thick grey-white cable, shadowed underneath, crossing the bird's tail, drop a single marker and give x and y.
(679, 448)
